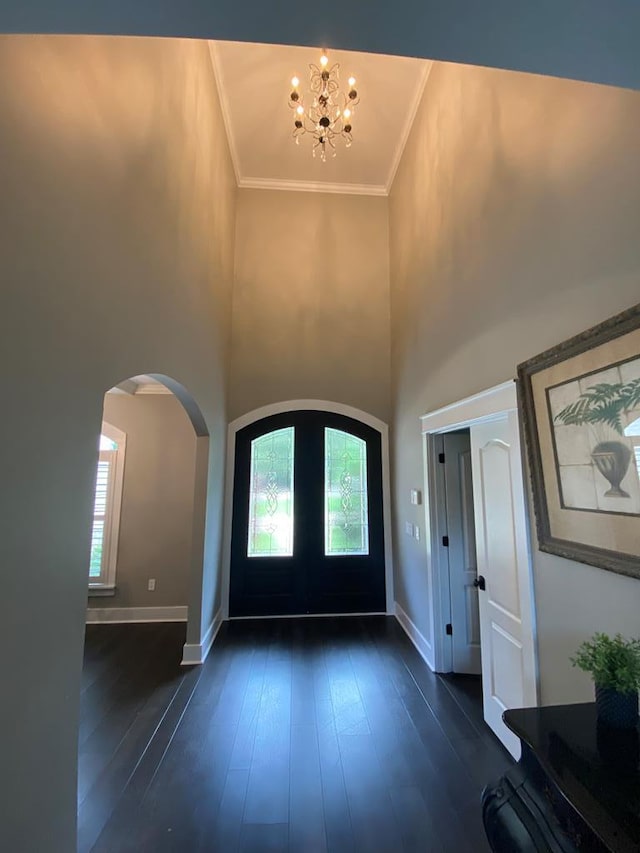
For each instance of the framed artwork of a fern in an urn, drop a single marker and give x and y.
(580, 407)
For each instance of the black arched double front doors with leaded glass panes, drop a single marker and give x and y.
(307, 530)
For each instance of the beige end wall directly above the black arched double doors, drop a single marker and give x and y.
(311, 301)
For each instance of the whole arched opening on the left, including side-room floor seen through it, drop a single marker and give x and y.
(145, 579)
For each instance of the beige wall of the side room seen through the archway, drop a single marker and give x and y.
(156, 516)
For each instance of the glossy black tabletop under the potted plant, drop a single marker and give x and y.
(595, 769)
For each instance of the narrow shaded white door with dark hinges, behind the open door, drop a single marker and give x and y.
(465, 618)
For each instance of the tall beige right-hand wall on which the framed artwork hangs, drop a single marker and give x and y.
(513, 223)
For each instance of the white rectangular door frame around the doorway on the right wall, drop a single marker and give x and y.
(491, 404)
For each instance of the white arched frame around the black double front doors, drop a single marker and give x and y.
(296, 406)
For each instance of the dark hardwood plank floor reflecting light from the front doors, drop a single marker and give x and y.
(295, 735)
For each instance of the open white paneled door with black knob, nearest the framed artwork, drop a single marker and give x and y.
(508, 656)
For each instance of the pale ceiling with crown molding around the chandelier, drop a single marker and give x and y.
(254, 81)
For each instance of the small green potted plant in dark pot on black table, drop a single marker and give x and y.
(614, 665)
